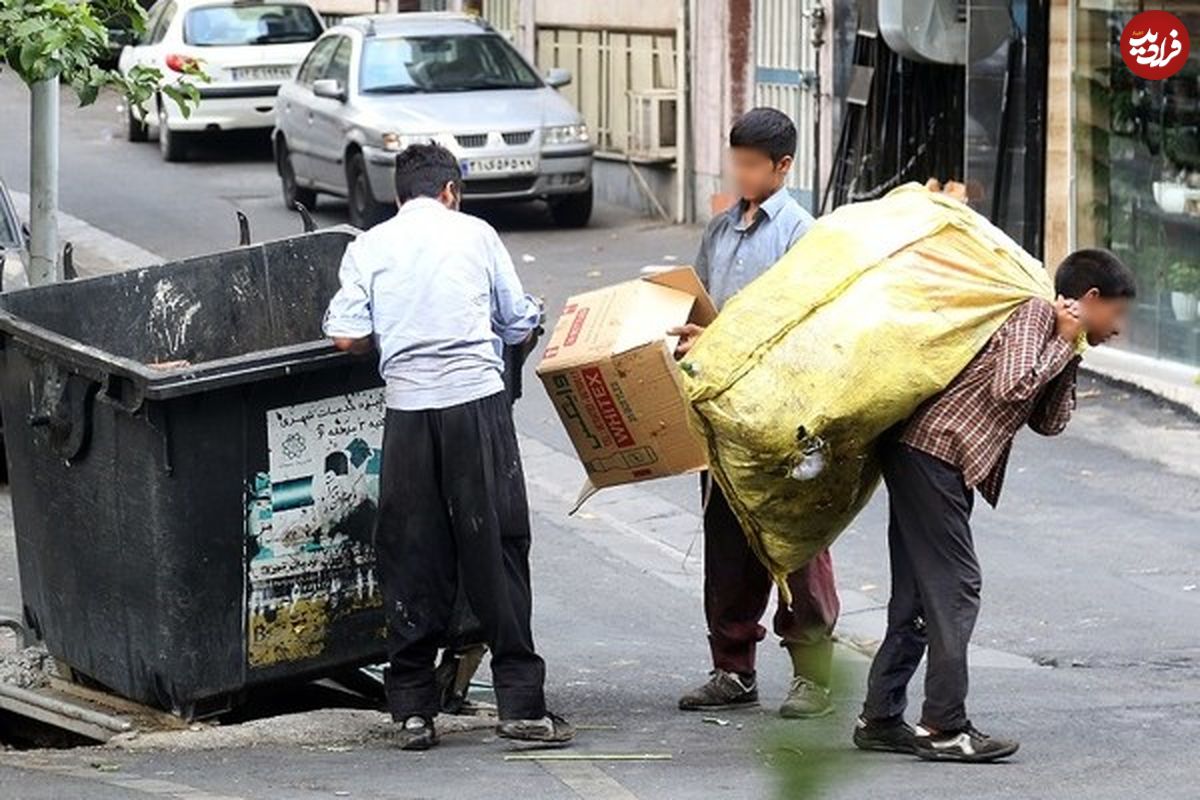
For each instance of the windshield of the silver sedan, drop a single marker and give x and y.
(434, 64)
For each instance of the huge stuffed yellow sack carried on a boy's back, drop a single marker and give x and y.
(873, 312)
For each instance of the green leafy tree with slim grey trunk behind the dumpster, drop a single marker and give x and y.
(47, 43)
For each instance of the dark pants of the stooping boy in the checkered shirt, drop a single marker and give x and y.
(935, 590)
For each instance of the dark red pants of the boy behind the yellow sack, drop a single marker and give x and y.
(739, 588)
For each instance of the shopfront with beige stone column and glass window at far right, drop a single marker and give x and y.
(1131, 178)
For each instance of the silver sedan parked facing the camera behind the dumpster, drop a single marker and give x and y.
(374, 86)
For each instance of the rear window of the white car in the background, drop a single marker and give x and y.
(266, 23)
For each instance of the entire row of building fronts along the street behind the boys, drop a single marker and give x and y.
(1035, 112)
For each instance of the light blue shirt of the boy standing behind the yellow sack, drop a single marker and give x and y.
(735, 254)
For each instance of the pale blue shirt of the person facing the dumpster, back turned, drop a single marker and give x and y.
(439, 291)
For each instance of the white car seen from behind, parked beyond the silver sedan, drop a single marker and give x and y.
(245, 47)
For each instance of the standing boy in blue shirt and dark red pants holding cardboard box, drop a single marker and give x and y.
(739, 246)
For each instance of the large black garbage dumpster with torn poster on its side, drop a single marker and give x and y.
(195, 473)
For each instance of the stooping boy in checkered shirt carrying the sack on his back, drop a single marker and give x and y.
(957, 443)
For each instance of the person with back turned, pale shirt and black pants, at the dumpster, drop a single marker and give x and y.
(437, 292)
